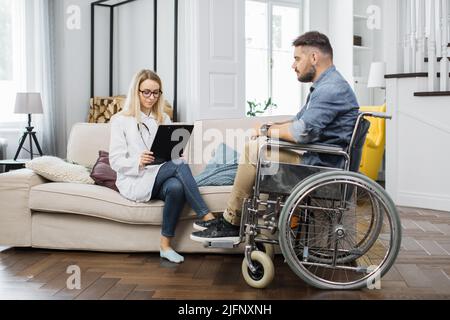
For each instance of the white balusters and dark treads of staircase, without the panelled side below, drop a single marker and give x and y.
(424, 43)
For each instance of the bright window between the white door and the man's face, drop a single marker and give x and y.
(269, 55)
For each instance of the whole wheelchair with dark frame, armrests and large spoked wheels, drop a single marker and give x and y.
(336, 228)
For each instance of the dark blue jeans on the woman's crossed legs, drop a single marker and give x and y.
(174, 185)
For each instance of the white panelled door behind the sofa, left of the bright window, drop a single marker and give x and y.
(213, 59)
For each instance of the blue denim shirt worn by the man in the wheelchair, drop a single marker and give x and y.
(328, 117)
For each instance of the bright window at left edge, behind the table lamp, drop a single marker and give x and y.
(11, 56)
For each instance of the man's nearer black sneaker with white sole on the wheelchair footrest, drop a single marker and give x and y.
(221, 231)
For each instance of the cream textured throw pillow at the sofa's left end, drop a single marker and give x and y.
(58, 170)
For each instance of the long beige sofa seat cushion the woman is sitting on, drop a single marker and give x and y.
(97, 201)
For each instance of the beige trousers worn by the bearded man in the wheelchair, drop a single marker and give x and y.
(246, 175)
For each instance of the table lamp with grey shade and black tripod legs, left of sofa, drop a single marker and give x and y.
(28, 103)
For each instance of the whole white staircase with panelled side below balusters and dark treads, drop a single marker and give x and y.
(418, 98)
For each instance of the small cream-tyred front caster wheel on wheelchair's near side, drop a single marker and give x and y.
(264, 273)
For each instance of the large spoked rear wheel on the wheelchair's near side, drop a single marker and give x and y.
(339, 230)
